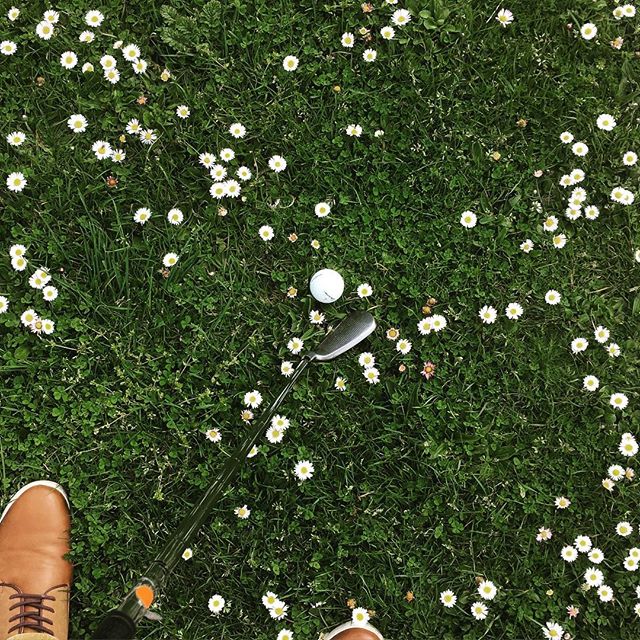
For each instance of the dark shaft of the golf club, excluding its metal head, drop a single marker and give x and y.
(133, 607)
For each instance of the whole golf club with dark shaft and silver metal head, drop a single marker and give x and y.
(120, 623)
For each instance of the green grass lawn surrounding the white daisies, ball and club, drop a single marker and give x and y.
(420, 485)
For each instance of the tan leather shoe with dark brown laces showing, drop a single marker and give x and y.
(35, 579)
